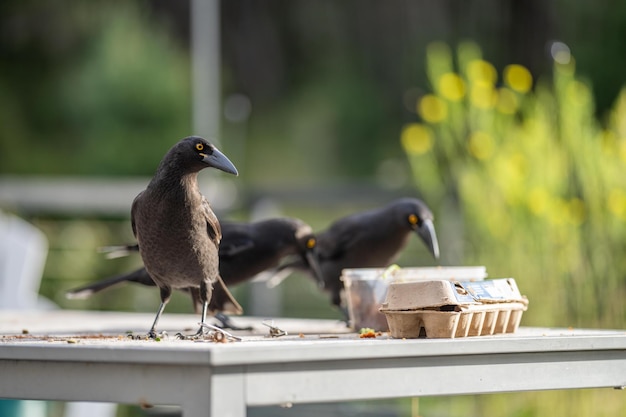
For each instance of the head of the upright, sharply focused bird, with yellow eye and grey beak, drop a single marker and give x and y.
(198, 153)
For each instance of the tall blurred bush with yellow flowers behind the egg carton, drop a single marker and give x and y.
(539, 183)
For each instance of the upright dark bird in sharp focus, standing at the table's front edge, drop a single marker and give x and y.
(177, 232)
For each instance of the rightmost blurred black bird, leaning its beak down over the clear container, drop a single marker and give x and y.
(370, 239)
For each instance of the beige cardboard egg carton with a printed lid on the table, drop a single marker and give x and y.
(447, 309)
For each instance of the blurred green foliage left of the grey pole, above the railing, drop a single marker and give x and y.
(101, 89)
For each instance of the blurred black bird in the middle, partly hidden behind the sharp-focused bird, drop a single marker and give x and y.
(246, 250)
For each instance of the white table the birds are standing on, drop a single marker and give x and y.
(324, 365)
